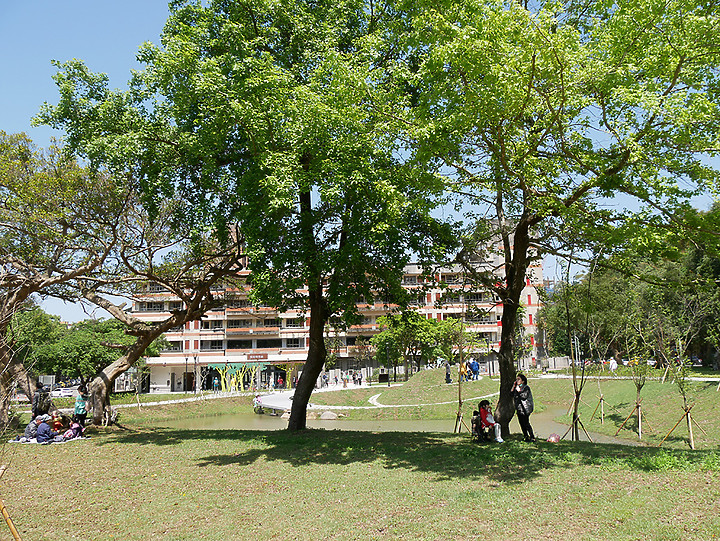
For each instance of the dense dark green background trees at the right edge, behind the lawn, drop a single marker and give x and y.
(668, 310)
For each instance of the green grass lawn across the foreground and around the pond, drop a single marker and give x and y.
(147, 482)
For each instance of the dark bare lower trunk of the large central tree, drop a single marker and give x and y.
(314, 363)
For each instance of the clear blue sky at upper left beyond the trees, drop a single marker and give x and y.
(105, 34)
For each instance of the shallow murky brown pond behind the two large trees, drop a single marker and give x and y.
(543, 424)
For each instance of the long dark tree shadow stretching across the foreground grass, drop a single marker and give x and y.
(446, 456)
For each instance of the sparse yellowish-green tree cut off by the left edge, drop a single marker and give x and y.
(58, 222)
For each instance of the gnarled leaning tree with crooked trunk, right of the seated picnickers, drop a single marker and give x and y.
(196, 270)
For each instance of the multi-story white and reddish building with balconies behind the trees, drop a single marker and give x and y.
(275, 344)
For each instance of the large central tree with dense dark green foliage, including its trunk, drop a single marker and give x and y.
(265, 114)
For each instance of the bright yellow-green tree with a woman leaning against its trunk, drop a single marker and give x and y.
(537, 116)
